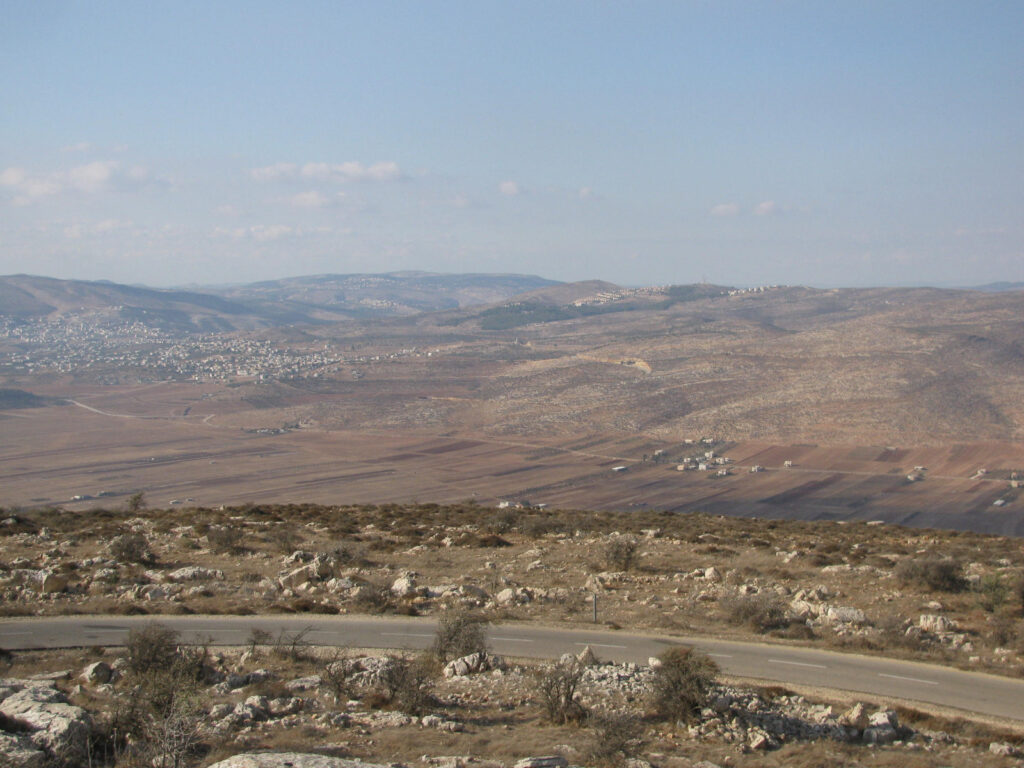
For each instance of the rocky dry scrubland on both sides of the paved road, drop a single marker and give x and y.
(943, 596)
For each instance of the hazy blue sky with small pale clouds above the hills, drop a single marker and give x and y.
(641, 143)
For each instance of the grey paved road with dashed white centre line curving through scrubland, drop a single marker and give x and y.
(987, 695)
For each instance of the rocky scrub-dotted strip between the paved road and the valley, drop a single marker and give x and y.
(943, 596)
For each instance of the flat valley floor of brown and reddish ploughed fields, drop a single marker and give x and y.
(173, 443)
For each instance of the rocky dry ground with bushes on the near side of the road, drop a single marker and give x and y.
(476, 711)
